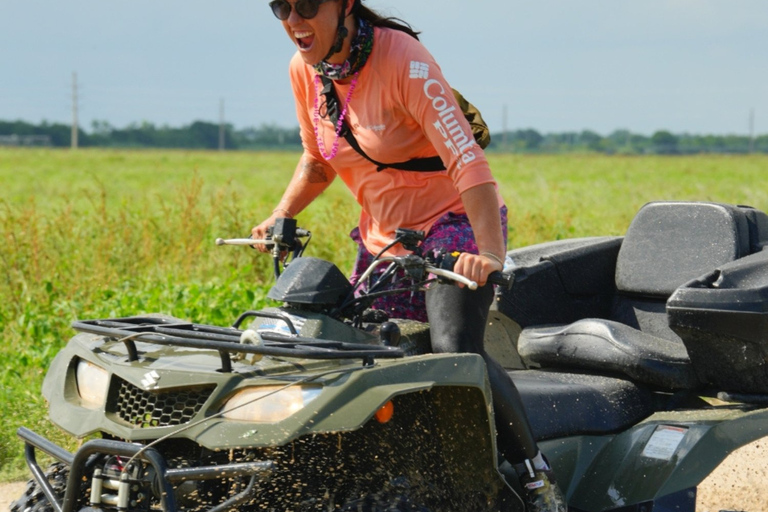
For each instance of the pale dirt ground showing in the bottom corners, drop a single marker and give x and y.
(738, 484)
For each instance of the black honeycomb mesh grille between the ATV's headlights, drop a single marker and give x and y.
(147, 409)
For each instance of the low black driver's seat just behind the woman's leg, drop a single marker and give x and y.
(565, 404)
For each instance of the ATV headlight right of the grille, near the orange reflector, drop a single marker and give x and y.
(268, 404)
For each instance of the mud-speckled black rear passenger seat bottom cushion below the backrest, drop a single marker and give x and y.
(608, 346)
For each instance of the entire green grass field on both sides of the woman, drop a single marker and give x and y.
(91, 234)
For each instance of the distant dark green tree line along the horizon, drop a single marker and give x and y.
(205, 135)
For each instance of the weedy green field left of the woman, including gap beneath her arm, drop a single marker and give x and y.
(96, 234)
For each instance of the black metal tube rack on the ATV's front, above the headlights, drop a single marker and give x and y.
(226, 340)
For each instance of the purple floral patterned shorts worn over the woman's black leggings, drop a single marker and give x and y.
(451, 232)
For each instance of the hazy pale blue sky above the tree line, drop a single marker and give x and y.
(696, 66)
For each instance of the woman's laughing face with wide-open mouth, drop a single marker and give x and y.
(314, 37)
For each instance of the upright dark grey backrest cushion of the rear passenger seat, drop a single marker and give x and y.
(670, 243)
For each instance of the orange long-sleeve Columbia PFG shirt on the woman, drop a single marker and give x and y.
(401, 108)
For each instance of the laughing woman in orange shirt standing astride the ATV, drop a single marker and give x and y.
(368, 92)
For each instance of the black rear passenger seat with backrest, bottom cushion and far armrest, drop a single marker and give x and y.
(627, 330)
